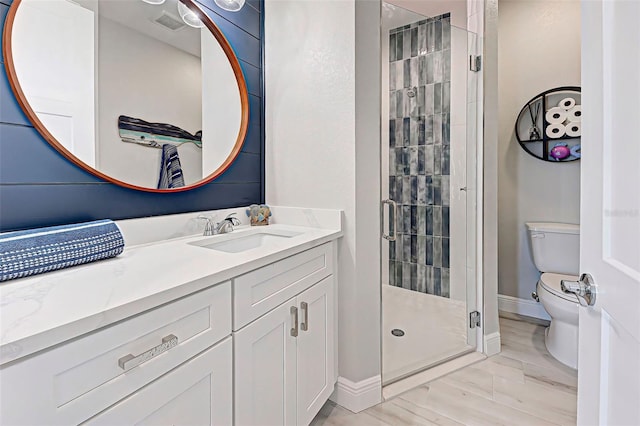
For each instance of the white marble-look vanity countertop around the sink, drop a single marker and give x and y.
(44, 310)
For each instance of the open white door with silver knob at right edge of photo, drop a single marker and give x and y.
(609, 354)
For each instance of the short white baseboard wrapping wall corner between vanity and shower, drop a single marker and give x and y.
(358, 396)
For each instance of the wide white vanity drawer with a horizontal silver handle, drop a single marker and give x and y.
(74, 381)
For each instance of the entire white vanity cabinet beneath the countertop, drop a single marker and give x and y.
(258, 349)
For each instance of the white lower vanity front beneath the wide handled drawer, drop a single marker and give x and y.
(197, 393)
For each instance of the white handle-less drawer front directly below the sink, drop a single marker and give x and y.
(259, 291)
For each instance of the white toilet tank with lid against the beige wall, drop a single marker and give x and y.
(555, 246)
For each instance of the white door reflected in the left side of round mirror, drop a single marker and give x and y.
(53, 54)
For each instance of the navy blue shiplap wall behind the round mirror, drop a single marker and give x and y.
(39, 187)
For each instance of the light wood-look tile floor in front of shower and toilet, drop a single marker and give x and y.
(523, 385)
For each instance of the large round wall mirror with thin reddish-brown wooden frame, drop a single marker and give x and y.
(146, 94)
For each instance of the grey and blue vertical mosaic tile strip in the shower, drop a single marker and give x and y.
(419, 162)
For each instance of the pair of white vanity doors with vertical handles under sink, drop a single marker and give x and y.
(284, 361)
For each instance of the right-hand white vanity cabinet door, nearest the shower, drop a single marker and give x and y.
(315, 356)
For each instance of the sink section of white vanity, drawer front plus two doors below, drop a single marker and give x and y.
(284, 360)
